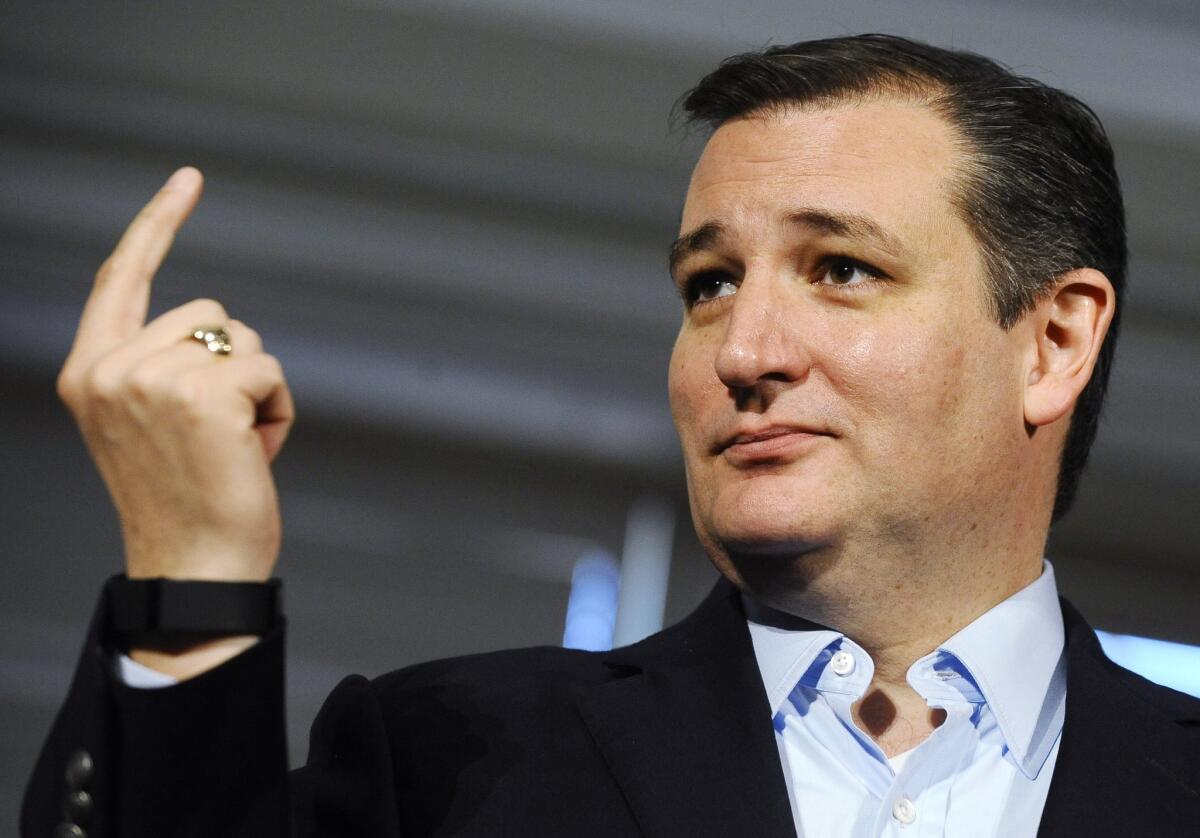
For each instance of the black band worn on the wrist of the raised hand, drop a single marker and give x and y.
(171, 610)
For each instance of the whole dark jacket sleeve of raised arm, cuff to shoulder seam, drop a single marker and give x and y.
(208, 757)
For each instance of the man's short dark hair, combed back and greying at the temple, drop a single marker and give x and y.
(1039, 190)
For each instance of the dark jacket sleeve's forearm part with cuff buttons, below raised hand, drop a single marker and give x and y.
(206, 757)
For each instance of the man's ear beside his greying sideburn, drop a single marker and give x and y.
(1070, 327)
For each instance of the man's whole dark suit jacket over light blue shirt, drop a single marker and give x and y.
(668, 738)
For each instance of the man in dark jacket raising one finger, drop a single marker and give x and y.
(901, 268)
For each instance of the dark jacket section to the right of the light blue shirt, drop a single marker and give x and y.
(1127, 759)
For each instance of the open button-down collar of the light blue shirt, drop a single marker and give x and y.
(1013, 653)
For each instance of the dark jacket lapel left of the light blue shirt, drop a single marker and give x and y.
(686, 729)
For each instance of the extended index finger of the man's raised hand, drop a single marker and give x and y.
(117, 307)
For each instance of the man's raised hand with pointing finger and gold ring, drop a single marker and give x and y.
(182, 436)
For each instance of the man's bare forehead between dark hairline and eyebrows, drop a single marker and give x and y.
(886, 161)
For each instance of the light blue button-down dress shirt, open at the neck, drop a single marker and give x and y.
(983, 774)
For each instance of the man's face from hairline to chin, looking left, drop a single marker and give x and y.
(838, 379)
